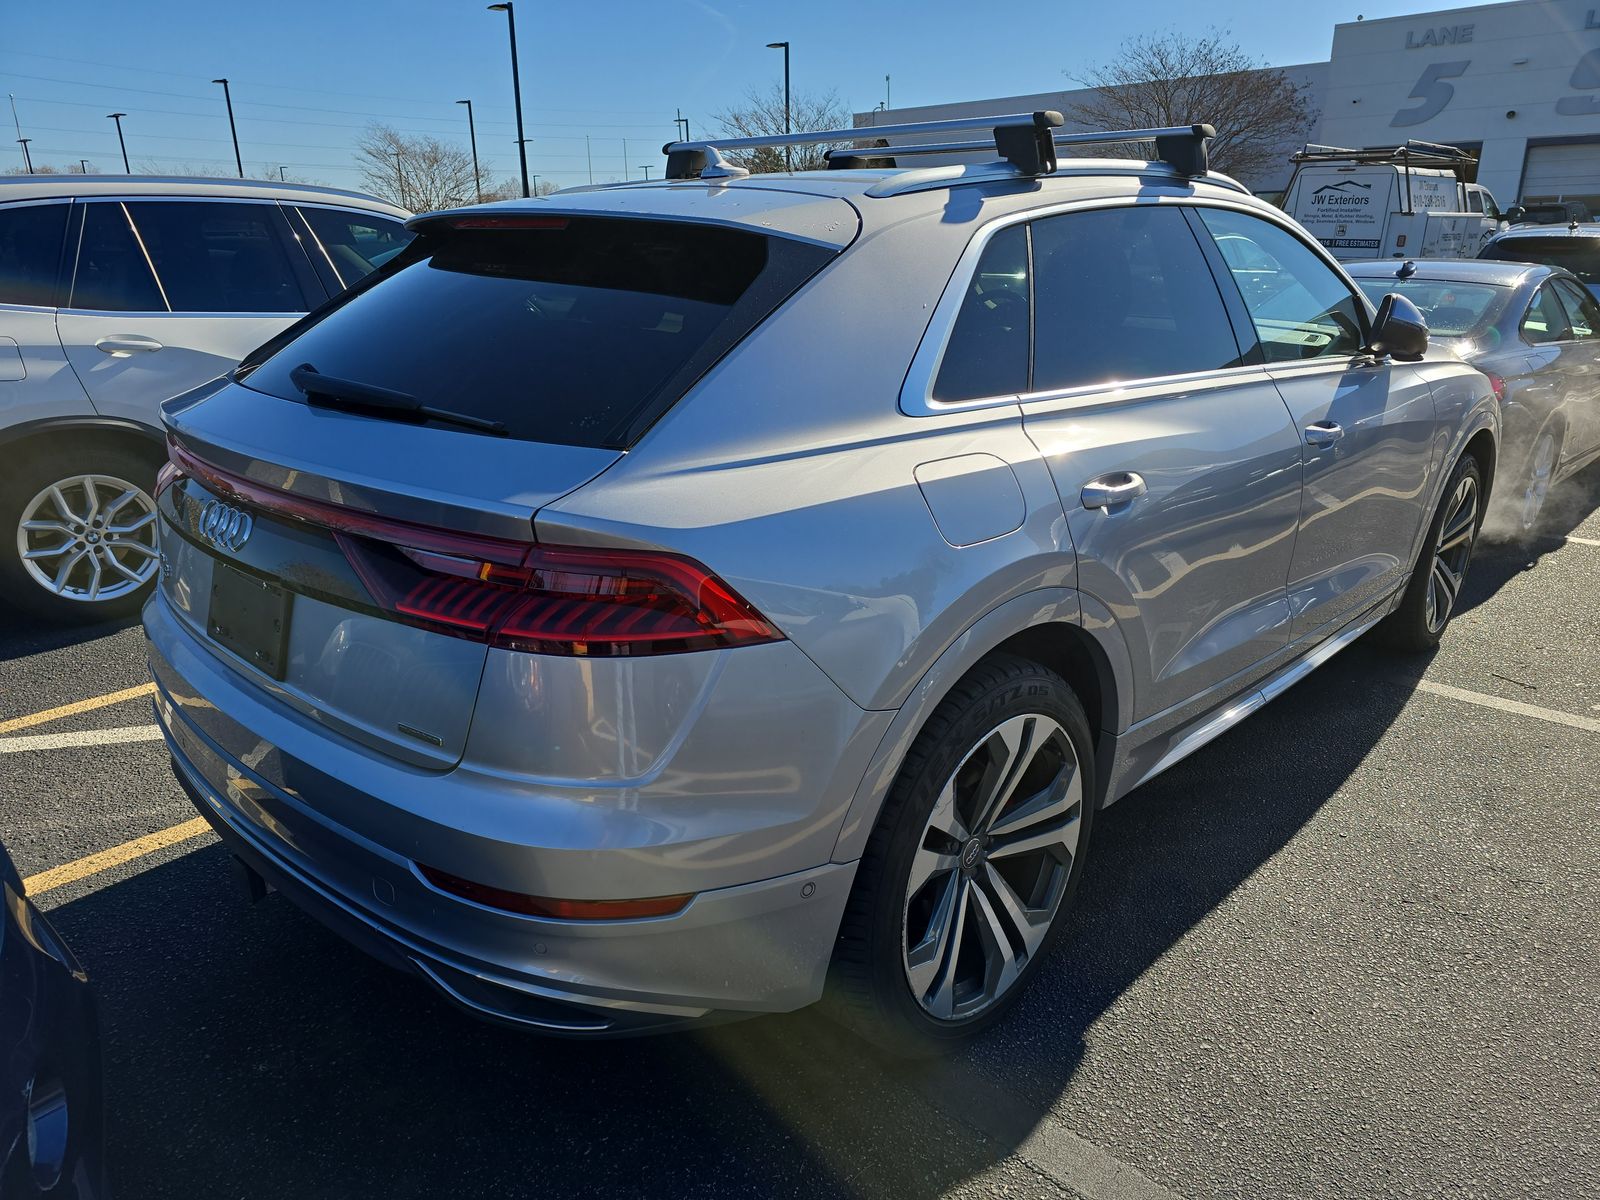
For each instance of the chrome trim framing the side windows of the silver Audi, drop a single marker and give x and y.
(916, 398)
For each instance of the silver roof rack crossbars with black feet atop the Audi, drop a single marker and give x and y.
(1025, 140)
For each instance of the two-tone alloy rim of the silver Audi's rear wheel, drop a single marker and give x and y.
(993, 866)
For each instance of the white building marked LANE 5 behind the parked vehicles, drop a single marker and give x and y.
(1518, 82)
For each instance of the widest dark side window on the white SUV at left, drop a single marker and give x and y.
(220, 257)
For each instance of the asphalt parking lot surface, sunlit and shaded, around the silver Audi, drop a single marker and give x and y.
(1353, 948)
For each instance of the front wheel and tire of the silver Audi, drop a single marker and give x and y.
(1441, 569)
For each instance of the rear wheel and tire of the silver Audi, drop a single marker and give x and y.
(970, 873)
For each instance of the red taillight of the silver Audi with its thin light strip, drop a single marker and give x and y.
(522, 596)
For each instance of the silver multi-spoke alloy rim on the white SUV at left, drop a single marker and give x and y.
(89, 538)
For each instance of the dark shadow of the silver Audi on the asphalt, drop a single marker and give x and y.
(254, 1055)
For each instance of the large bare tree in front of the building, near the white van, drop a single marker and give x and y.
(1172, 79)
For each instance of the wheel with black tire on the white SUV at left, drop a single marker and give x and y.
(78, 532)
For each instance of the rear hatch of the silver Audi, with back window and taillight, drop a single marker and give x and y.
(350, 522)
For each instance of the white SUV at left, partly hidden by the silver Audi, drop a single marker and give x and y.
(118, 294)
